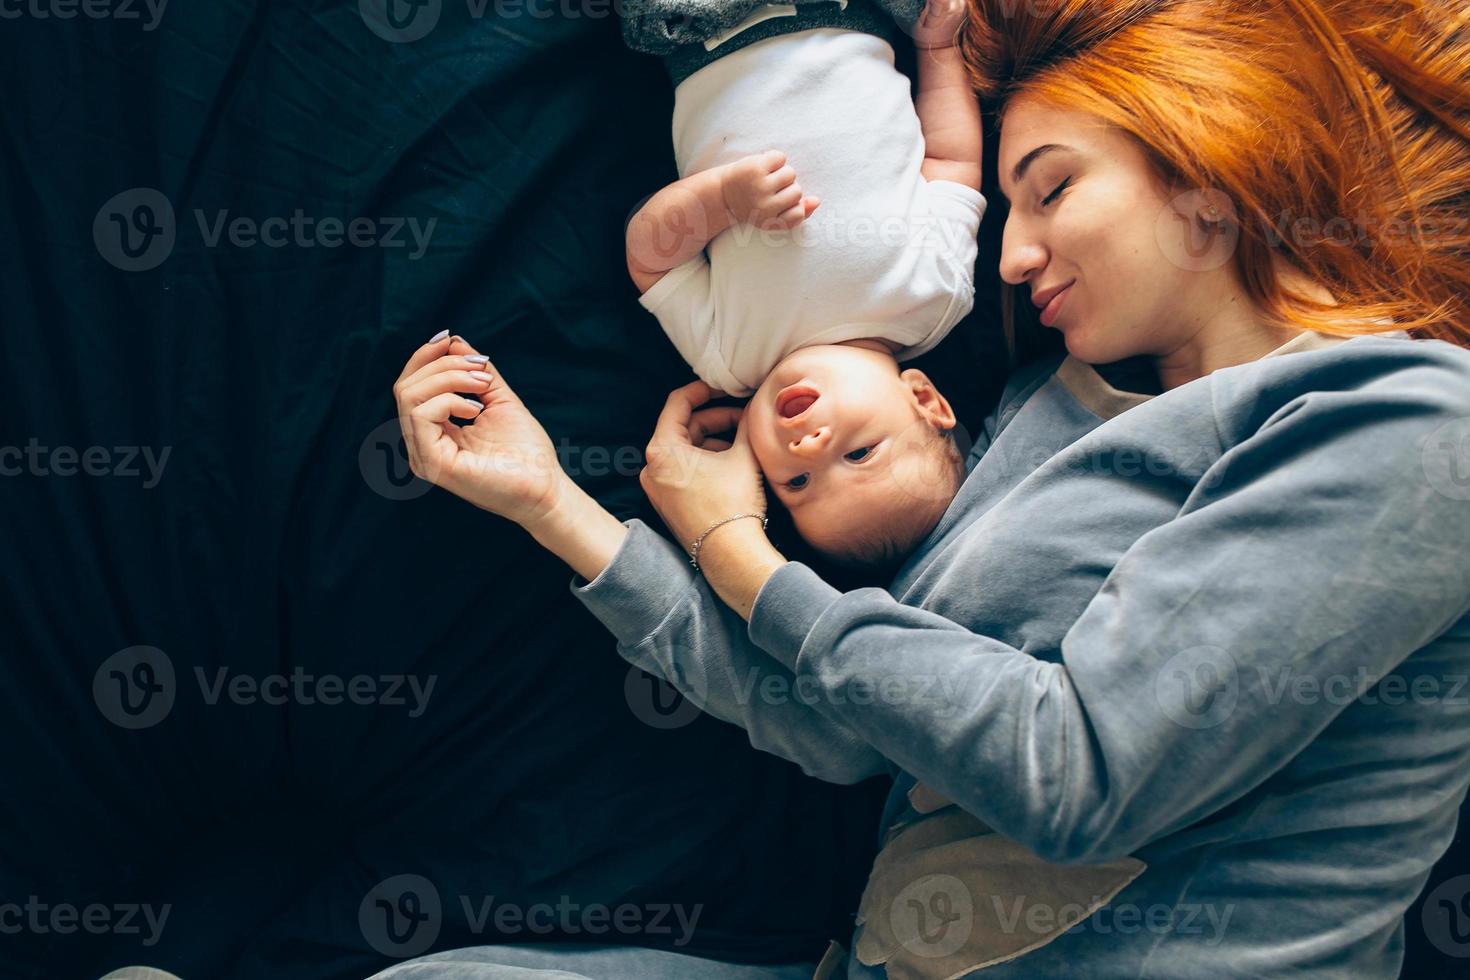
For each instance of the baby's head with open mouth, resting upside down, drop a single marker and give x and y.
(858, 452)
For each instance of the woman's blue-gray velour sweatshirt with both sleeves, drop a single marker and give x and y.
(1219, 634)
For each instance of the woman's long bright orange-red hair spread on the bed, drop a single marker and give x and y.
(1340, 130)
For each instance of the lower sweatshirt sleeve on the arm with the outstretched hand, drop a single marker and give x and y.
(670, 624)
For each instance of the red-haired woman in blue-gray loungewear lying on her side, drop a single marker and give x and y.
(1197, 627)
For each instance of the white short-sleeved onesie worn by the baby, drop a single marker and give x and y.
(889, 255)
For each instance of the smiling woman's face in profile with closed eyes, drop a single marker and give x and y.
(1130, 264)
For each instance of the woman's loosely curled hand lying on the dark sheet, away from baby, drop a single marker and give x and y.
(503, 461)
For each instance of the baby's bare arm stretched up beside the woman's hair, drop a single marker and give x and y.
(949, 112)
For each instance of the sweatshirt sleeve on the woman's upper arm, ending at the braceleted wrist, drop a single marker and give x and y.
(1331, 543)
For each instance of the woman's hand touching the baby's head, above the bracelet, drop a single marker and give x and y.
(695, 480)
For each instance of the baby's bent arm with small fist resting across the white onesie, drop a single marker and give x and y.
(680, 221)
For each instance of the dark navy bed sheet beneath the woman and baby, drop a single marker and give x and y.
(284, 534)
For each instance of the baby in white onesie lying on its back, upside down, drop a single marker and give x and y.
(822, 231)
